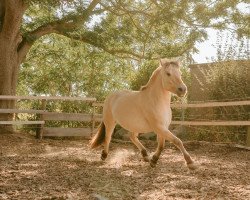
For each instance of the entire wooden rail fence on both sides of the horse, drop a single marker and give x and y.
(93, 118)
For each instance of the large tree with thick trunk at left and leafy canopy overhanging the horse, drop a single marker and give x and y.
(128, 29)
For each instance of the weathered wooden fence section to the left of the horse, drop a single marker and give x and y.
(44, 116)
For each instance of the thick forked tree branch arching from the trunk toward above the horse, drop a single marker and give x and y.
(66, 25)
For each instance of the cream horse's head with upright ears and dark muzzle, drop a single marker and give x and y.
(171, 77)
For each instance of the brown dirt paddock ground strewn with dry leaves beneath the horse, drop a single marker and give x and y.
(67, 169)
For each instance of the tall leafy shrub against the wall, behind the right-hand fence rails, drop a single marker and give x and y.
(226, 80)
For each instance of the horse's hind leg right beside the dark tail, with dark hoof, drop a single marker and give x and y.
(109, 128)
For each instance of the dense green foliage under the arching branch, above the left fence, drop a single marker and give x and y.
(58, 66)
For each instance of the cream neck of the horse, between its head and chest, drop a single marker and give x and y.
(158, 94)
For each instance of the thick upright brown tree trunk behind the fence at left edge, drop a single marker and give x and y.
(11, 12)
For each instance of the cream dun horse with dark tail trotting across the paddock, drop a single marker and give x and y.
(143, 111)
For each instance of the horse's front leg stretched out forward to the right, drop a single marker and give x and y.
(164, 132)
